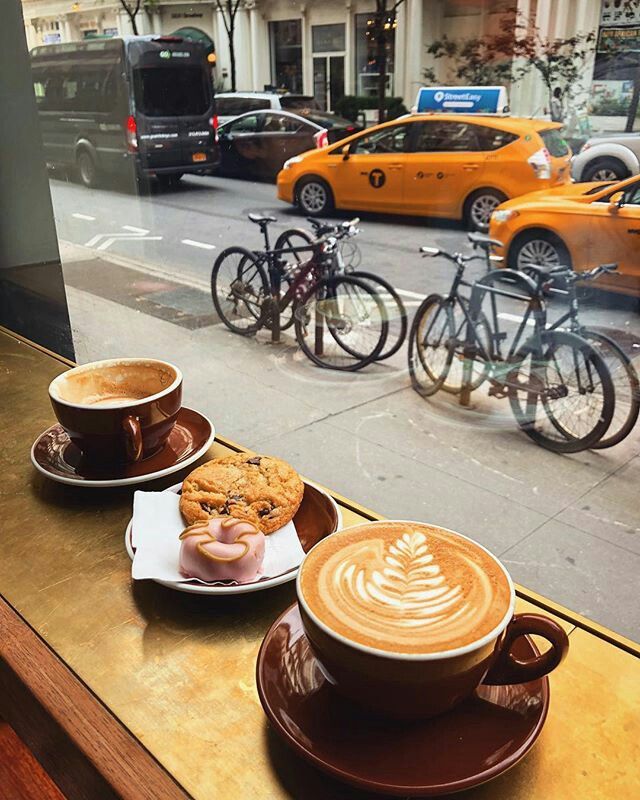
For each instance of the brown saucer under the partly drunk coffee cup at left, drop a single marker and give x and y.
(55, 456)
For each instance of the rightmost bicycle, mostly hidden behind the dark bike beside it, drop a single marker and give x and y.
(624, 375)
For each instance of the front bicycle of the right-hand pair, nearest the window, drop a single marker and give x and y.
(558, 386)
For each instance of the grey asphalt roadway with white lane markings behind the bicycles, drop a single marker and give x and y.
(179, 232)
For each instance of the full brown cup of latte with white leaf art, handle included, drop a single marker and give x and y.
(408, 619)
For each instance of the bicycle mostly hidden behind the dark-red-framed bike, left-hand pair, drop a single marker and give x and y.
(346, 257)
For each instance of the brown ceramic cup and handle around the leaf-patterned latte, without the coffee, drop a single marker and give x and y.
(414, 686)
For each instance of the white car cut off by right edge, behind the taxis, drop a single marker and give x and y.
(607, 158)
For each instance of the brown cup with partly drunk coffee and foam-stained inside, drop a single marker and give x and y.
(119, 410)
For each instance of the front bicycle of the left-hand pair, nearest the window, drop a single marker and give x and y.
(339, 321)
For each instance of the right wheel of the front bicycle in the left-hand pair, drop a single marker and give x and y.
(341, 323)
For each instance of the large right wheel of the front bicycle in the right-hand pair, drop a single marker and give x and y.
(562, 394)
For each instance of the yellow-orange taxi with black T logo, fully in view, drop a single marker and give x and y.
(437, 165)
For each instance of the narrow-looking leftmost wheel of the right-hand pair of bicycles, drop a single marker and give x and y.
(431, 345)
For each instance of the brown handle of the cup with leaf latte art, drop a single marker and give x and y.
(508, 669)
